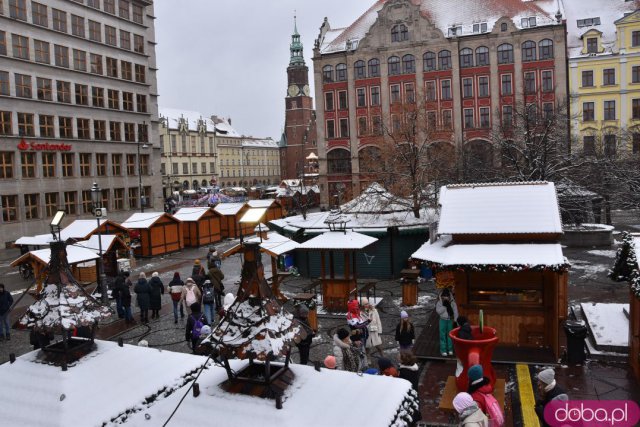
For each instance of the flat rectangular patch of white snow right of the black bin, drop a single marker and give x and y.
(608, 323)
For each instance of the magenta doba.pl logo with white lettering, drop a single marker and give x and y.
(597, 413)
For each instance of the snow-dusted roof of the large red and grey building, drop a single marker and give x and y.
(444, 16)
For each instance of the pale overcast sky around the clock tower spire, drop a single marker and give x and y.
(229, 57)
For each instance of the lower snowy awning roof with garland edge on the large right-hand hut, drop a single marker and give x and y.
(444, 252)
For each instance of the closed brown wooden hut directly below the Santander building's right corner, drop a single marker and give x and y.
(158, 233)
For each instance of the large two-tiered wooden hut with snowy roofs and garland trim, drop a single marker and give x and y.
(498, 246)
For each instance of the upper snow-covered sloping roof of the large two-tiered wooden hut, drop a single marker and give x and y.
(501, 208)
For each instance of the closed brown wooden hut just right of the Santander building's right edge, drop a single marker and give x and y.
(200, 226)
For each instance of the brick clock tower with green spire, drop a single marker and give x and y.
(299, 134)
